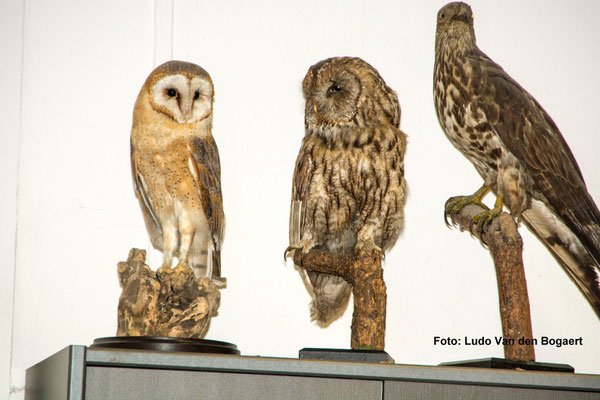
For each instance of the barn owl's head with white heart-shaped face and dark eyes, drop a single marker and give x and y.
(182, 91)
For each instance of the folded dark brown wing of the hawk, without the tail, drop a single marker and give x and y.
(529, 133)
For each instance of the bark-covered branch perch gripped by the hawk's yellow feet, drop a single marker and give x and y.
(502, 238)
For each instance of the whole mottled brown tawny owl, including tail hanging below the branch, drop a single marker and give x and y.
(348, 190)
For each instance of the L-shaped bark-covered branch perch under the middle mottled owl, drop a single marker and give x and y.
(365, 274)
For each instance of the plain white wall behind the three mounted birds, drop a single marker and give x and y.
(83, 65)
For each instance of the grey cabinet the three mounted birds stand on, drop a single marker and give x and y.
(78, 372)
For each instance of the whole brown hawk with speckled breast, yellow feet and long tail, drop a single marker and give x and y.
(516, 148)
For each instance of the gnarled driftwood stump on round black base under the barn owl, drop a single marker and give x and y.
(172, 304)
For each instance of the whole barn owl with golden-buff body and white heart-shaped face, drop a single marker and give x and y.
(176, 169)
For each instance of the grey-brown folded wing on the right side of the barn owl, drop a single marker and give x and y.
(205, 167)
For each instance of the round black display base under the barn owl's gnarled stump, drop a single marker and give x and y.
(166, 344)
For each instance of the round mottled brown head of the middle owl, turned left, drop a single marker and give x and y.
(347, 91)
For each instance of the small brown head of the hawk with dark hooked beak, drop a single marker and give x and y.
(455, 21)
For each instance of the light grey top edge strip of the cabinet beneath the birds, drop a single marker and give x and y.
(354, 370)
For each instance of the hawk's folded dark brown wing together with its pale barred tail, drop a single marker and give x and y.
(530, 134)
